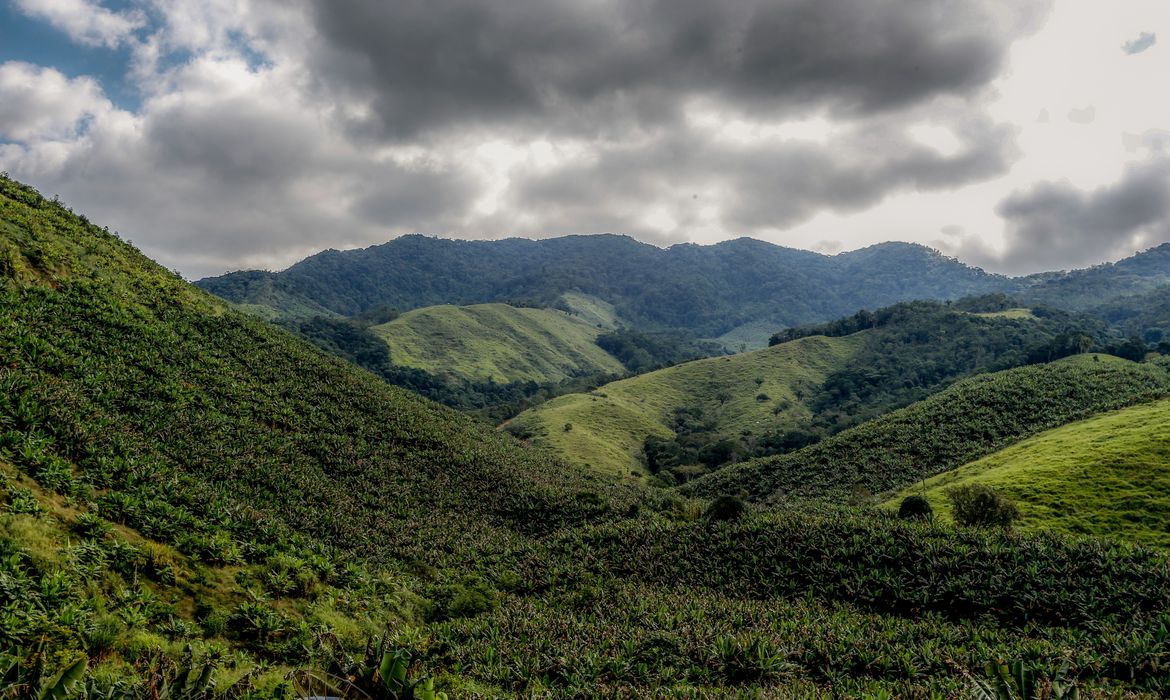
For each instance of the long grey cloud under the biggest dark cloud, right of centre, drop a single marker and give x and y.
(759, 186)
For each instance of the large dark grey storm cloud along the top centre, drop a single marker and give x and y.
(603, 67)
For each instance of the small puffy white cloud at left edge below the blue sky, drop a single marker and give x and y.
(42, 104)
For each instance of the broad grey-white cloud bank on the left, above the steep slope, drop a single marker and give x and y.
(228, 171)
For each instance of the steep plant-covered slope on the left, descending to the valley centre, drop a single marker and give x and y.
(258, 482)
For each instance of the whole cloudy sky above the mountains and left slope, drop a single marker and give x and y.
(218, 135)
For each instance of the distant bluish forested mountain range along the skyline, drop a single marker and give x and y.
(707, 291)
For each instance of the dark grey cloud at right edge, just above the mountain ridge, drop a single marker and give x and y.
(1056, 225)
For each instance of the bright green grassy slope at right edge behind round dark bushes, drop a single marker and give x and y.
(1105, 476)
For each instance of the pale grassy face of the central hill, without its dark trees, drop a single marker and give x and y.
(611, 424)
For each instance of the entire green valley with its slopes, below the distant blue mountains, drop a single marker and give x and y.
(192, 495)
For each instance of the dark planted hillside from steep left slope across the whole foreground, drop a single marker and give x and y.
(197, 504)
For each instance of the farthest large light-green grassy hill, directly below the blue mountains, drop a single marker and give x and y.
(497, 342)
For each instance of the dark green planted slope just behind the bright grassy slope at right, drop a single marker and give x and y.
(961, 424)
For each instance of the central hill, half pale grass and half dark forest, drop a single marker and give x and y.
(815, 381)
